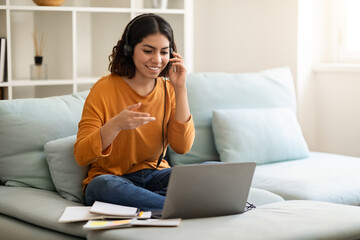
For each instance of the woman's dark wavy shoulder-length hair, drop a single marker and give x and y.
(137, 29)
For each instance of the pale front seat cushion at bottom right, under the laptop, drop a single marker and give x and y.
(280, 220)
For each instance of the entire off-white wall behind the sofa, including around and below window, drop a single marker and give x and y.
(252, 35)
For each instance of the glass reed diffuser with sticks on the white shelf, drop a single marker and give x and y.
(38, 71)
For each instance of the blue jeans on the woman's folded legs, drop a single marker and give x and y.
(144, 189)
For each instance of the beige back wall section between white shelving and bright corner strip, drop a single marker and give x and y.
(244, 35)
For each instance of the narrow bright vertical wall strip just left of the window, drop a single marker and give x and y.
(308, 48)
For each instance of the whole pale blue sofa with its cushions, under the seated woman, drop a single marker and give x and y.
(238, 117)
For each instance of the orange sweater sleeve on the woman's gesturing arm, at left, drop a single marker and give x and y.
(88, 146)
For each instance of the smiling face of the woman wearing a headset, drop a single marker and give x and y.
(151, 56)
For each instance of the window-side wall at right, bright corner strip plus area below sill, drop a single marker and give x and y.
(328, 97)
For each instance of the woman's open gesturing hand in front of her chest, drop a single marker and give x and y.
(129, 118)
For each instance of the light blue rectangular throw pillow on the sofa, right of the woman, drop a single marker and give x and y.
(263, 135)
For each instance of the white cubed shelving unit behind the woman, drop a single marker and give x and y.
(80, 35)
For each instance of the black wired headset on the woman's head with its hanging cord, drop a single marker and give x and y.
(128, 52)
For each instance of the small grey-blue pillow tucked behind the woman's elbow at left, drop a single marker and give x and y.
(66, 174)
